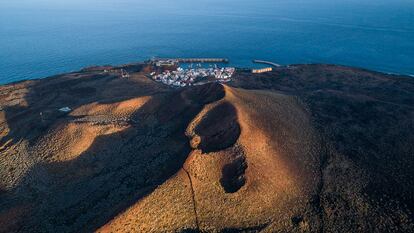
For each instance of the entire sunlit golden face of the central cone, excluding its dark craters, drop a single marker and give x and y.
(279, 147)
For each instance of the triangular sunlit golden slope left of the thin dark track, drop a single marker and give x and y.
(168, 209)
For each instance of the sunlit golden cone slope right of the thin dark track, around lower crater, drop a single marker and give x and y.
(276, 147)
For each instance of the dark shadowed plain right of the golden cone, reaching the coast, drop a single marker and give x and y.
(367, 116)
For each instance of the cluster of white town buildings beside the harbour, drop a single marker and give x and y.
(187, 77)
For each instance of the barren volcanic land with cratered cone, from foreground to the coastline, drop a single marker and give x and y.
(310, 148)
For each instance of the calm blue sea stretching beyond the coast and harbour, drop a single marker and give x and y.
(40, 38)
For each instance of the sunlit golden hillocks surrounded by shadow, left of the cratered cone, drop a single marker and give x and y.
(68, 141)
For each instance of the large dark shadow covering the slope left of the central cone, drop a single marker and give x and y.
(117, 170)
